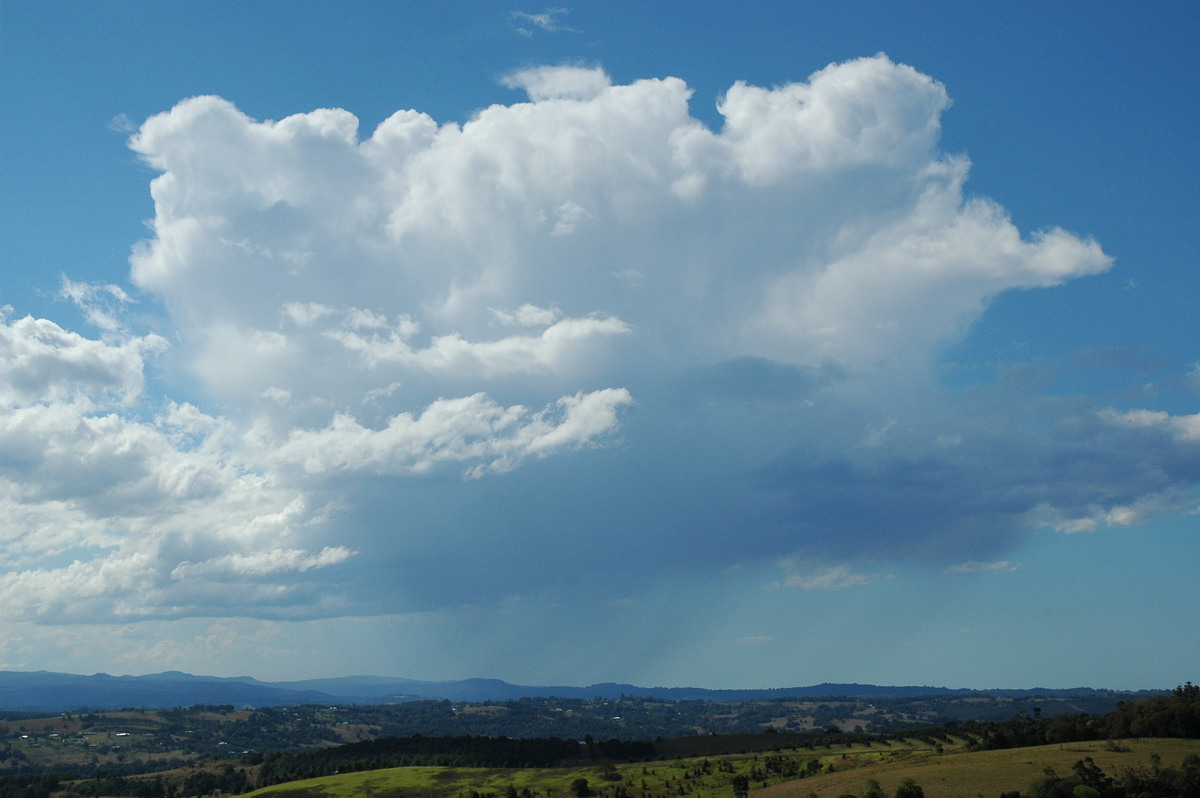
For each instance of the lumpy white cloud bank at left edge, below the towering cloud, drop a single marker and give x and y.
(104, 497)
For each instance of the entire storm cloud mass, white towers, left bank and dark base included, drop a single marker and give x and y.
(477, 298)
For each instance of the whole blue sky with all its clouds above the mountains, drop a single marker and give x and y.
(706, 345)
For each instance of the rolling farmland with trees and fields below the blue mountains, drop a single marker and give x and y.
(794, 749)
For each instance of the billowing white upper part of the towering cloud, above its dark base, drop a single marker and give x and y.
(541, 205)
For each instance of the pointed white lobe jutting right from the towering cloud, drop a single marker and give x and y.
(915, 284)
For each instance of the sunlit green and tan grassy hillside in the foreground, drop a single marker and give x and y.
(949, 775)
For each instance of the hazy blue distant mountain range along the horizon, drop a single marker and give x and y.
(49, 692)
